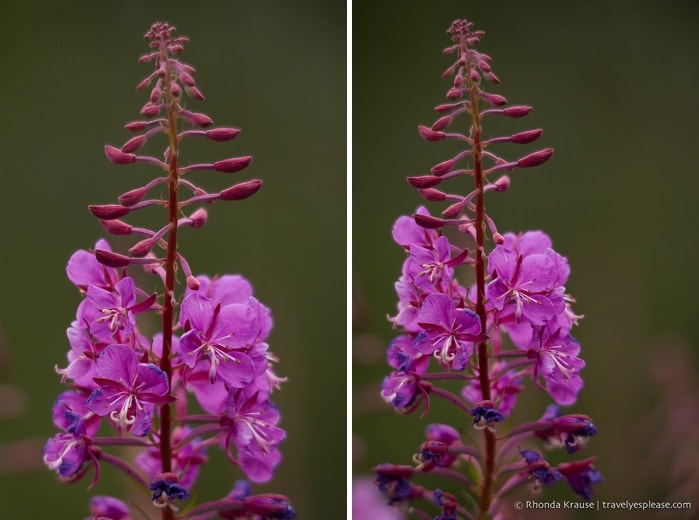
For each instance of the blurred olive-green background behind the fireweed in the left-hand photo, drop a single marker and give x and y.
(277, 70)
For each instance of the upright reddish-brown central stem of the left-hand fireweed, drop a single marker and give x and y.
(170, 275)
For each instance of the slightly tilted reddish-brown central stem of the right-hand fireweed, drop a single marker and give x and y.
(483, 365)
